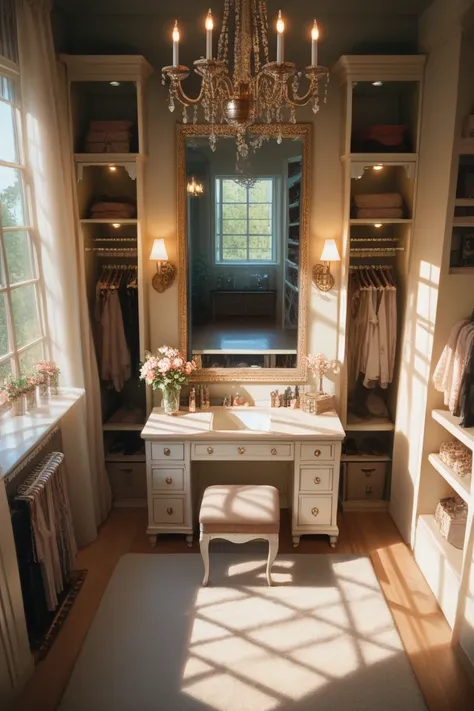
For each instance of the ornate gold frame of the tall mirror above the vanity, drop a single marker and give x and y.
(296, 375)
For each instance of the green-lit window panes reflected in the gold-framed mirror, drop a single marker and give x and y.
(245, 223)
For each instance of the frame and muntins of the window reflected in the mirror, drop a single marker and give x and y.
(218, 218)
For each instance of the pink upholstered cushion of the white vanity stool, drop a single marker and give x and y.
(240, 509)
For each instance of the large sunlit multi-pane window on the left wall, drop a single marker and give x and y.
(22, 338)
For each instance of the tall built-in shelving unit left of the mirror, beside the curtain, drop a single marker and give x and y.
(106, 101)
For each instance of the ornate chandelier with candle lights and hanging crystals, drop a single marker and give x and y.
(251, 89)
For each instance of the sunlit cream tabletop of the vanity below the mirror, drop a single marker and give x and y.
(238, 423)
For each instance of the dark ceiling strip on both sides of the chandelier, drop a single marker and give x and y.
(185, 7)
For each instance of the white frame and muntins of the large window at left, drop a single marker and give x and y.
(10, 71)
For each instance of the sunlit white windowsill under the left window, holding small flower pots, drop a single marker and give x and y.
(20, 435)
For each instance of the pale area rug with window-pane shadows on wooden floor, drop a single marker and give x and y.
(321, 639)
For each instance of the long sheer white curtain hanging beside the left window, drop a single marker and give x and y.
(44, 97)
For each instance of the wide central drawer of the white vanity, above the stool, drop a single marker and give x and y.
(242, 450)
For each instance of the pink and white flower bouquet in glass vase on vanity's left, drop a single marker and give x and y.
(167, 368)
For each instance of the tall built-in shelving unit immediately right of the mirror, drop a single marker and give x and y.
(381, 96)
